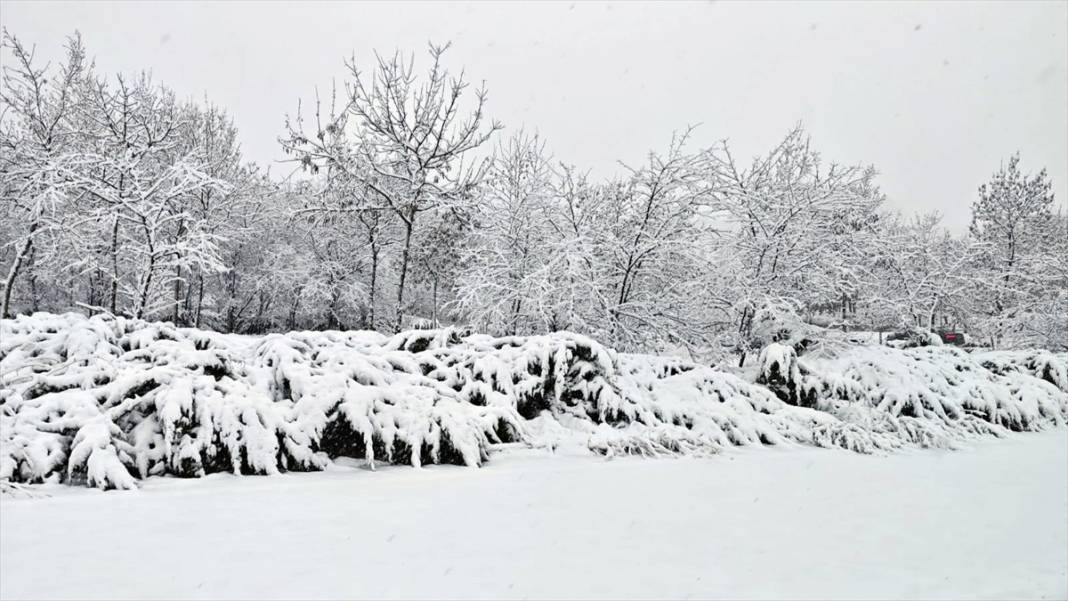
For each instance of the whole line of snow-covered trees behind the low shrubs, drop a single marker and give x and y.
(412, 207)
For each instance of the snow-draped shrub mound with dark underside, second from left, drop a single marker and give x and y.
(374, 403)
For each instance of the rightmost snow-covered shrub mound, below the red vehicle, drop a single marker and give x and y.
(930, 396)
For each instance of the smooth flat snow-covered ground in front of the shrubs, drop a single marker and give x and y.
(990, 521)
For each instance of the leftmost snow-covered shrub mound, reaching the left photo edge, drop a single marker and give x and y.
(99, 401)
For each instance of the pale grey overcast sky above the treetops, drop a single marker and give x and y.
(935, 94)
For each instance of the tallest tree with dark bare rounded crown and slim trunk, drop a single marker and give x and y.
(405, 138)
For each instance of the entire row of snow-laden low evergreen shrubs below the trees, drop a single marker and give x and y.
(106, 402)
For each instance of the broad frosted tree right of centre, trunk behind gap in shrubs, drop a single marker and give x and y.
(790, 219)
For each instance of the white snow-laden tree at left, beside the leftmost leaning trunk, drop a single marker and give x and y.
(142, 178)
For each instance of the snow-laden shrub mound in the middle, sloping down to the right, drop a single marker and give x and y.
(569, 388)
